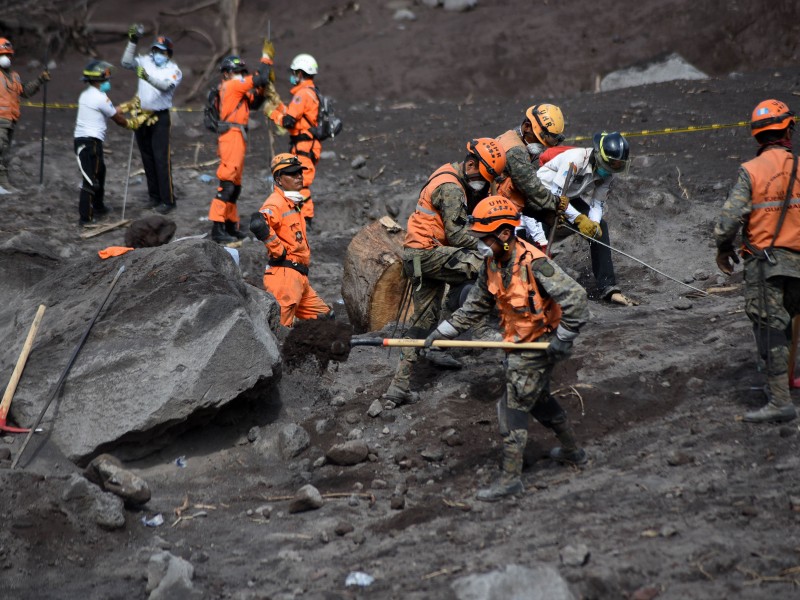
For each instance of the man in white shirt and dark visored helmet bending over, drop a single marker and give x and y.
(588, 191)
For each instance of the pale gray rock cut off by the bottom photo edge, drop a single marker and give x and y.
(540, 582)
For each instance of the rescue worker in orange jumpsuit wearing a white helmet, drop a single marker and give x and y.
(298, 117)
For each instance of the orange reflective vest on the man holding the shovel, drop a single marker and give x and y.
(524, 313)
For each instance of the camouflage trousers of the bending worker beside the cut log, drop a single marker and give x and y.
(438, 267)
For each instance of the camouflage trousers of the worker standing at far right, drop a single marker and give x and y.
(770, 304)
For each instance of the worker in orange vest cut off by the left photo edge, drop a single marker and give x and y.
(11, 88)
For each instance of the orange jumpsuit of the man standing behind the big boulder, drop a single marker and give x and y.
(286, 275)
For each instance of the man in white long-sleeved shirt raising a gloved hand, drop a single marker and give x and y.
(158, 77)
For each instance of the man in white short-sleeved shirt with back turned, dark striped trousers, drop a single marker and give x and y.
(94, 107)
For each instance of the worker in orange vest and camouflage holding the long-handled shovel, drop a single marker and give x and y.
(537, 301)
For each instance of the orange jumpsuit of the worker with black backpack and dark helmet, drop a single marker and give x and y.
(235, 98)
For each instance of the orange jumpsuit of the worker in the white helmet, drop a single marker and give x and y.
(303, 110)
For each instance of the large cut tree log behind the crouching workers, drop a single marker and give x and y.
(373, 281)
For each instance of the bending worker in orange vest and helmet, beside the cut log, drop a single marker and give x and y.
(438, 250)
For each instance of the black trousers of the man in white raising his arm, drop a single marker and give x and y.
(153, 142)
